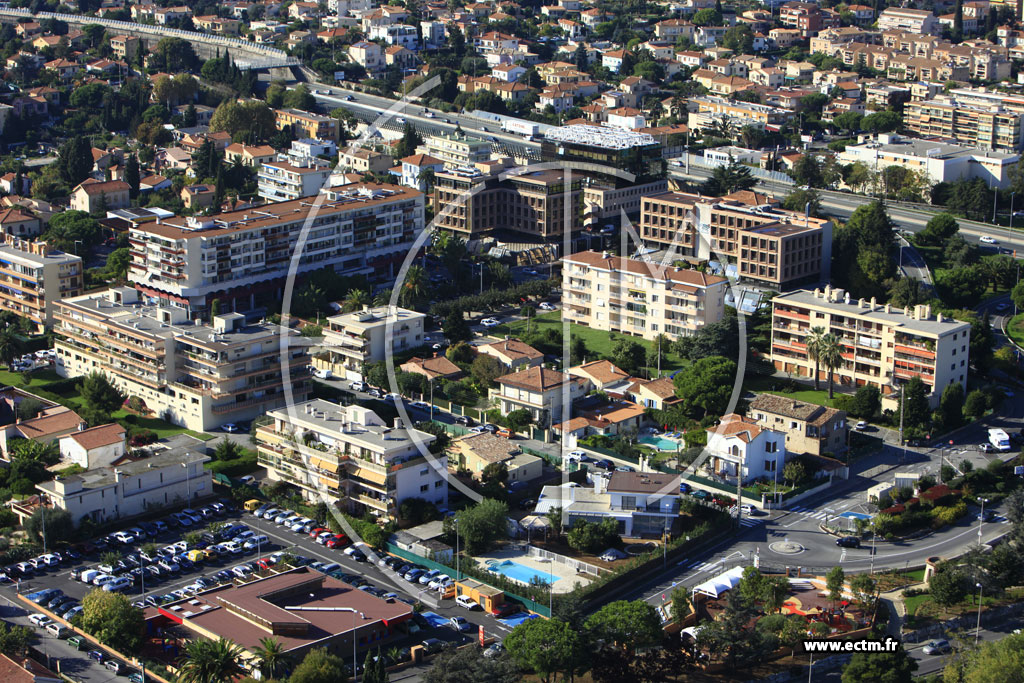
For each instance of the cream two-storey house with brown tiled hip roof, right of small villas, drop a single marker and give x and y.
(547, 395)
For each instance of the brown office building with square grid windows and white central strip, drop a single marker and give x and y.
(757, 242)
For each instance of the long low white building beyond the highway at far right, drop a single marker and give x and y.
(942, 162)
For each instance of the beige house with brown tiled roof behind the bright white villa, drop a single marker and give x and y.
(809, 429)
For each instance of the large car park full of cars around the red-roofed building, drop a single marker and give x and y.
(148, 588)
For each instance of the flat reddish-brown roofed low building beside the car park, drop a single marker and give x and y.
(301, 610)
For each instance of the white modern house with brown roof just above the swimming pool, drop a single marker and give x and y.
(642, 503)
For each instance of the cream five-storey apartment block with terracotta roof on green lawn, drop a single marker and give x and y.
(639, 298)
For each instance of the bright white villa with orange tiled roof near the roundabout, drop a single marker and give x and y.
(741, 446)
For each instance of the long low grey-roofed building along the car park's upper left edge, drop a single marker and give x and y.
(172, 475)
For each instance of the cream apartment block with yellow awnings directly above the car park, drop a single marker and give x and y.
(353, 457)
